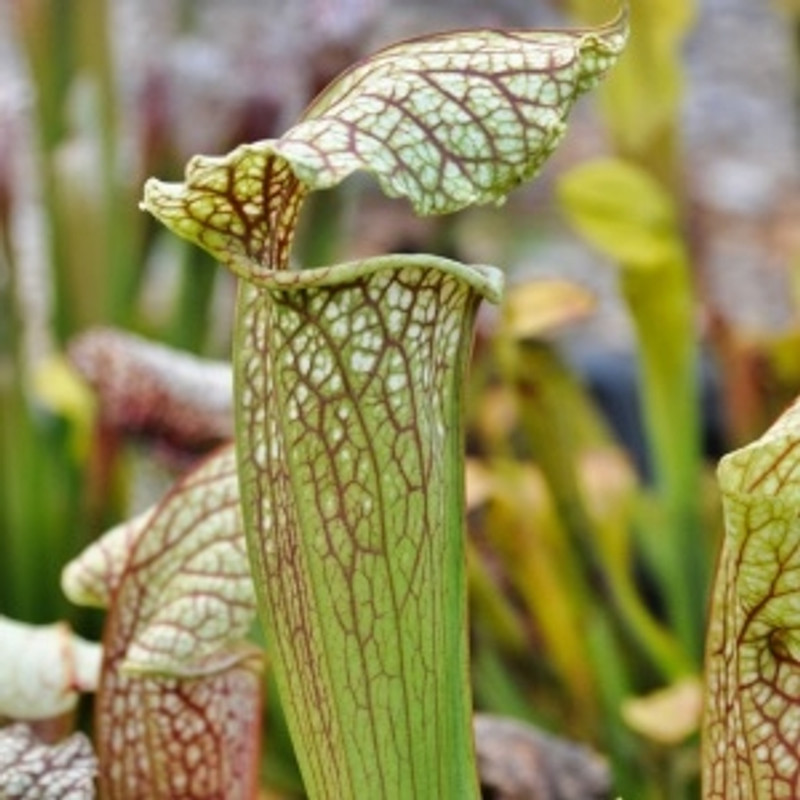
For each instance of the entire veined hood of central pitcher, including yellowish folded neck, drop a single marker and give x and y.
(445, 121)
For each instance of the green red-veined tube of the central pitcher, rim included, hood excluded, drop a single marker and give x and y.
(352, 477)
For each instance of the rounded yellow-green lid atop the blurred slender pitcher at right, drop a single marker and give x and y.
(621, 210)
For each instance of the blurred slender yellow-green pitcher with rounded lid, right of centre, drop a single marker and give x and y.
(626, 213)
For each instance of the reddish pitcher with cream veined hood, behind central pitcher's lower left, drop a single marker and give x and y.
(178, 706)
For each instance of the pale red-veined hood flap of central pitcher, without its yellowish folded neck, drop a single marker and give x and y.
(454, 119)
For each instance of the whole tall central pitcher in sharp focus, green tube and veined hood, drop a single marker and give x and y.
(349, 390)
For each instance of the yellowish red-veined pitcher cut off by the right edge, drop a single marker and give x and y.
(751, 743)
